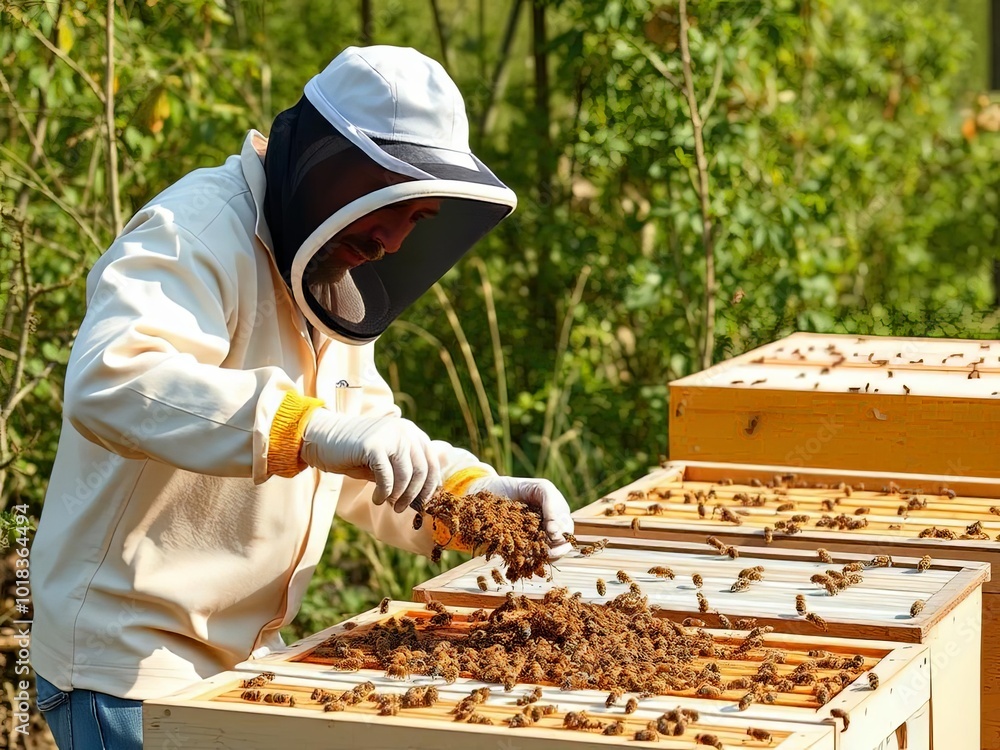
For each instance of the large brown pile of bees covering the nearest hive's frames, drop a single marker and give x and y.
(620, 646)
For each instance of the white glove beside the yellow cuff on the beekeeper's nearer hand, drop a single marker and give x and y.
(390, 451)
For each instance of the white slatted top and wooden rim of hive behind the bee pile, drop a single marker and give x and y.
(458, 587)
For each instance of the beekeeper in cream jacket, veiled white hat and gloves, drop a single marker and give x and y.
(222, 401)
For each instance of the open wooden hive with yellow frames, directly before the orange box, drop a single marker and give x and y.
(681, 521)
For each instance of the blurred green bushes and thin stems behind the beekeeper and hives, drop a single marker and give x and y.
(696, 178)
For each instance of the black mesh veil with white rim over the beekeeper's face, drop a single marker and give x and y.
(319, 184)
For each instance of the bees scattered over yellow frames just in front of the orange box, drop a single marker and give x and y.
(734, 506)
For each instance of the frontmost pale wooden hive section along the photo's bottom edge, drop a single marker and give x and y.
(211, 714)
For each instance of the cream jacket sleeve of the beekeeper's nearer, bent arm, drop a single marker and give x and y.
(145, 379)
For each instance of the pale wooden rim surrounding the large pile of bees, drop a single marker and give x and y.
(902, 668)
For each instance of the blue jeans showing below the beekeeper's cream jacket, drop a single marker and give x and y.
(85, 720)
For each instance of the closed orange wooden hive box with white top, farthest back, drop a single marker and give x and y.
(874, 403)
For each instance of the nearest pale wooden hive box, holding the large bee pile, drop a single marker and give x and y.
(894, 715)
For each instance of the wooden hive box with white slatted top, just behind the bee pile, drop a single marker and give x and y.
(876, 608)
